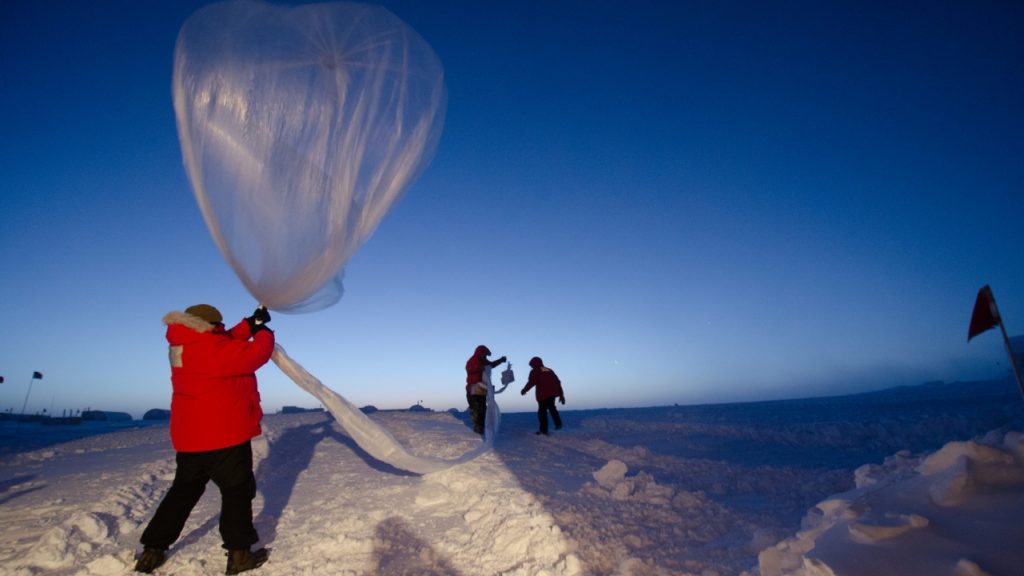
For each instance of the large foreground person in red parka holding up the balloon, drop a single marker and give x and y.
(216, 414)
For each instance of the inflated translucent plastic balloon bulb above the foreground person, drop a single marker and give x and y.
(301, 128)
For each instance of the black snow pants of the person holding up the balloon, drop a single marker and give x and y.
(232, 471)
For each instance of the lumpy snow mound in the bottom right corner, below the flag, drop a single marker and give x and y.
(907, 517)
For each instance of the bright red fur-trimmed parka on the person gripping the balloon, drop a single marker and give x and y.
(216, 403)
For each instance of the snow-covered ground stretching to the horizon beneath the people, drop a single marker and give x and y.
(927, 480)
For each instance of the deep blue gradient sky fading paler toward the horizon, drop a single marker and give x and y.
(671, 202)
